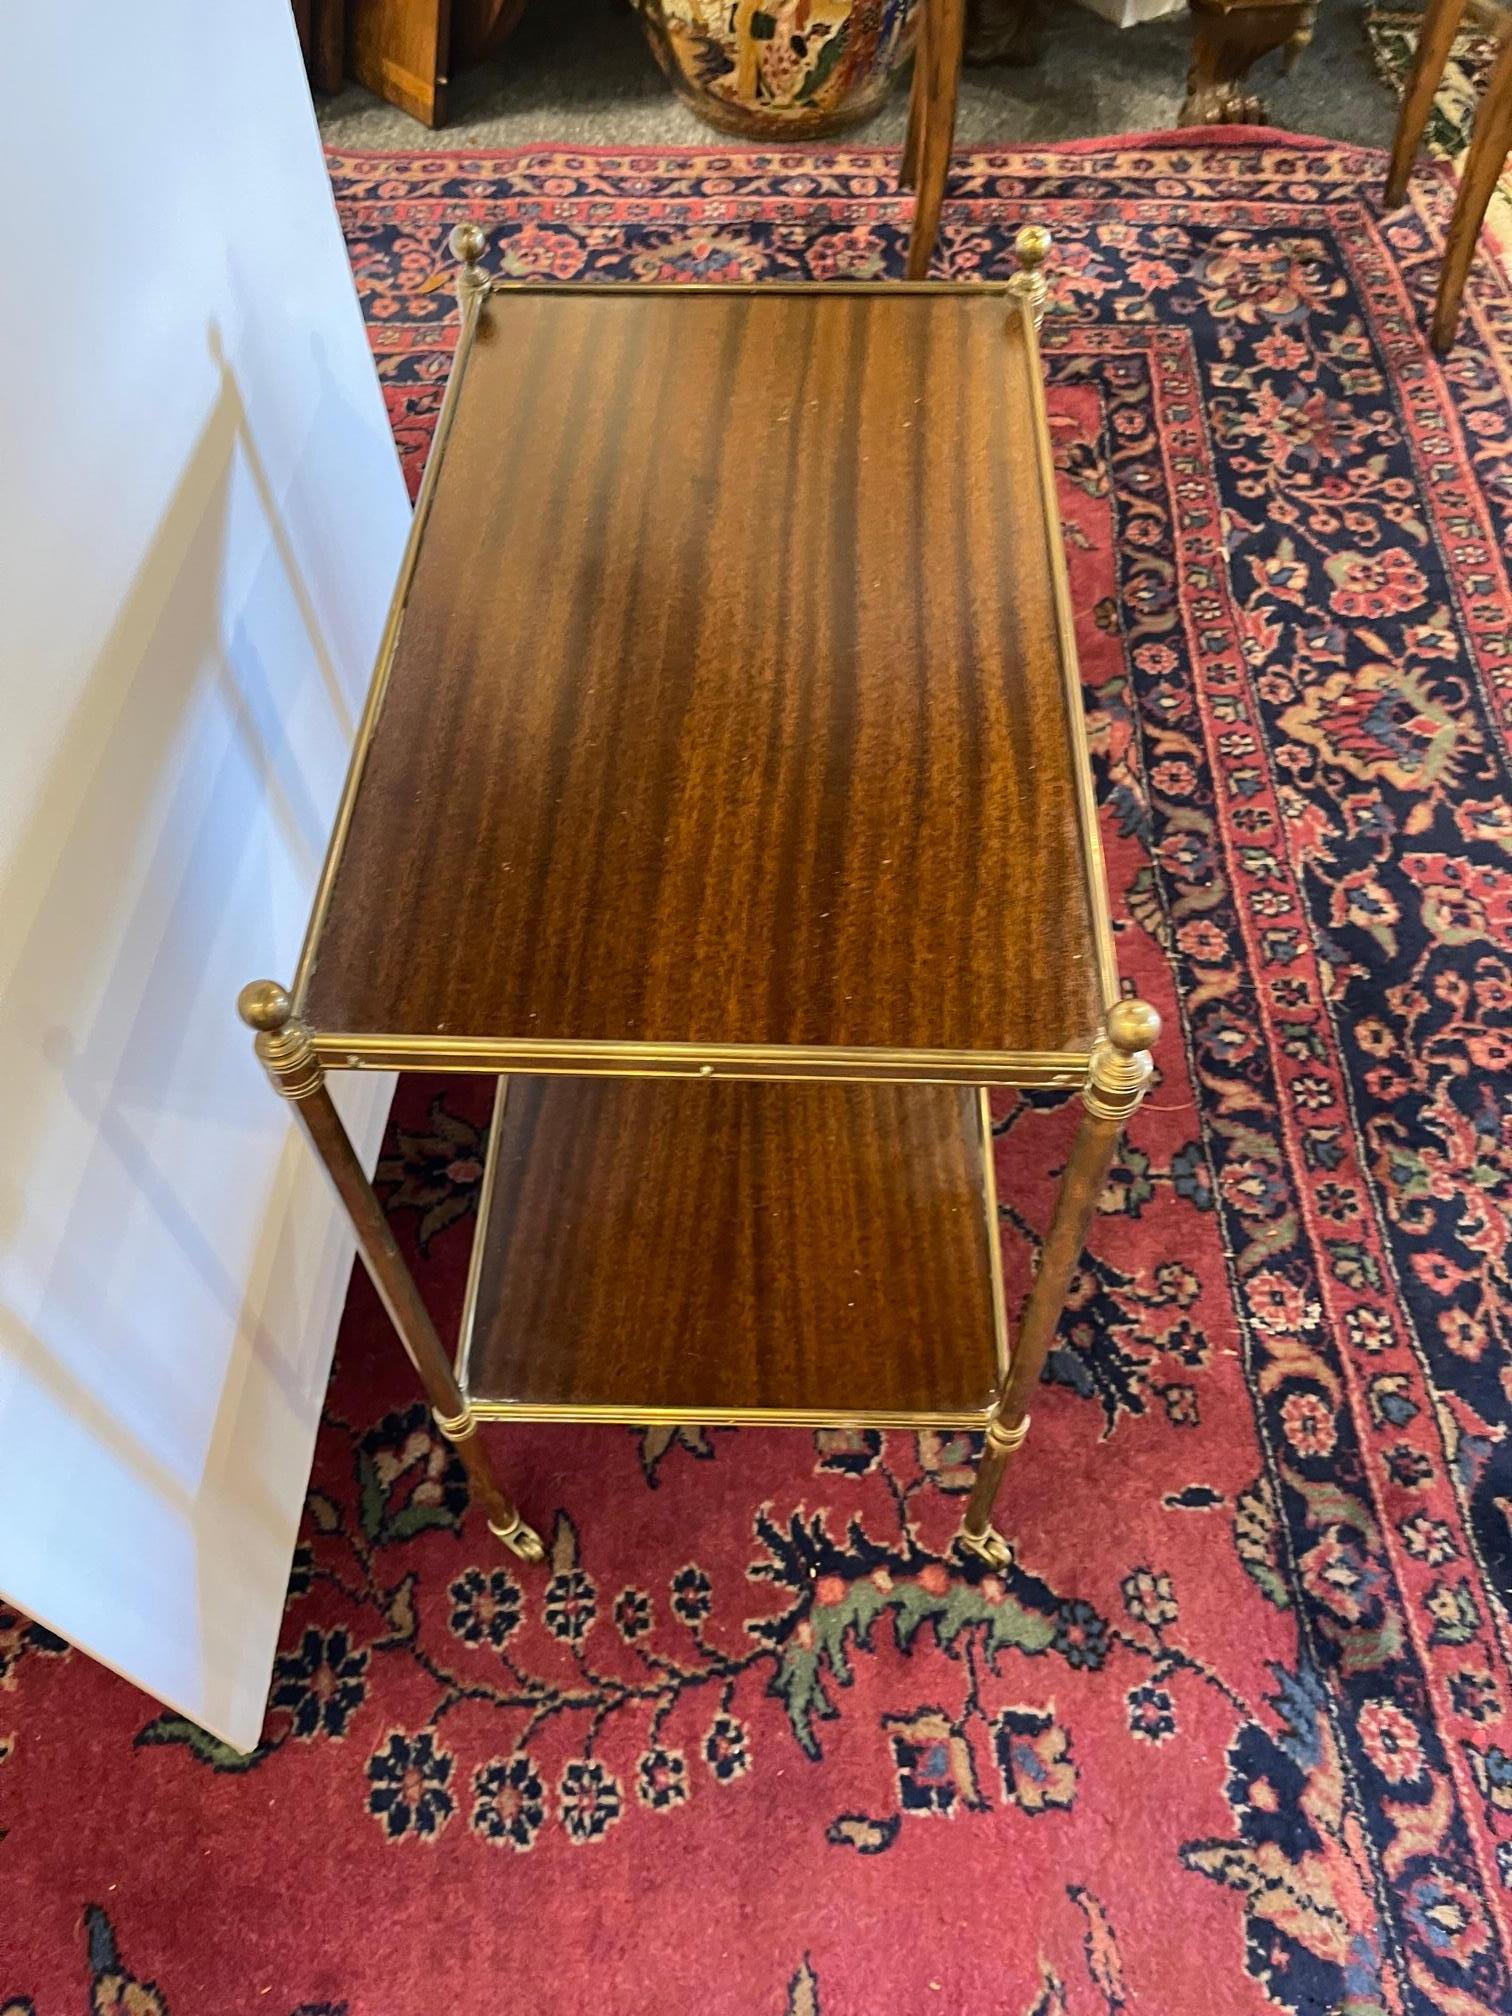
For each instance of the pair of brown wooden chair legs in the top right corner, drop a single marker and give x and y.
(1491, 142)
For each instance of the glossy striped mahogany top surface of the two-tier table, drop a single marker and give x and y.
(729, 703)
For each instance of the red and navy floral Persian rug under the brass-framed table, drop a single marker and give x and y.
(1235, 1735)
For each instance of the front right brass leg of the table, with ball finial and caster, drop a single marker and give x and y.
(1116, 1084)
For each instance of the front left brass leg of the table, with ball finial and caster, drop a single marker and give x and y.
(289, 1059)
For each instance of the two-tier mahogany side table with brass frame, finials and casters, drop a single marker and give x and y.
(723, 791)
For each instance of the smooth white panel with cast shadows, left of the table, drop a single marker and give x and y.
(201, 521)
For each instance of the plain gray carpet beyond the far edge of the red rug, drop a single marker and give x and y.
(580, 74)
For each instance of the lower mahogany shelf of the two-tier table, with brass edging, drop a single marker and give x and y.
(721, 1251)
